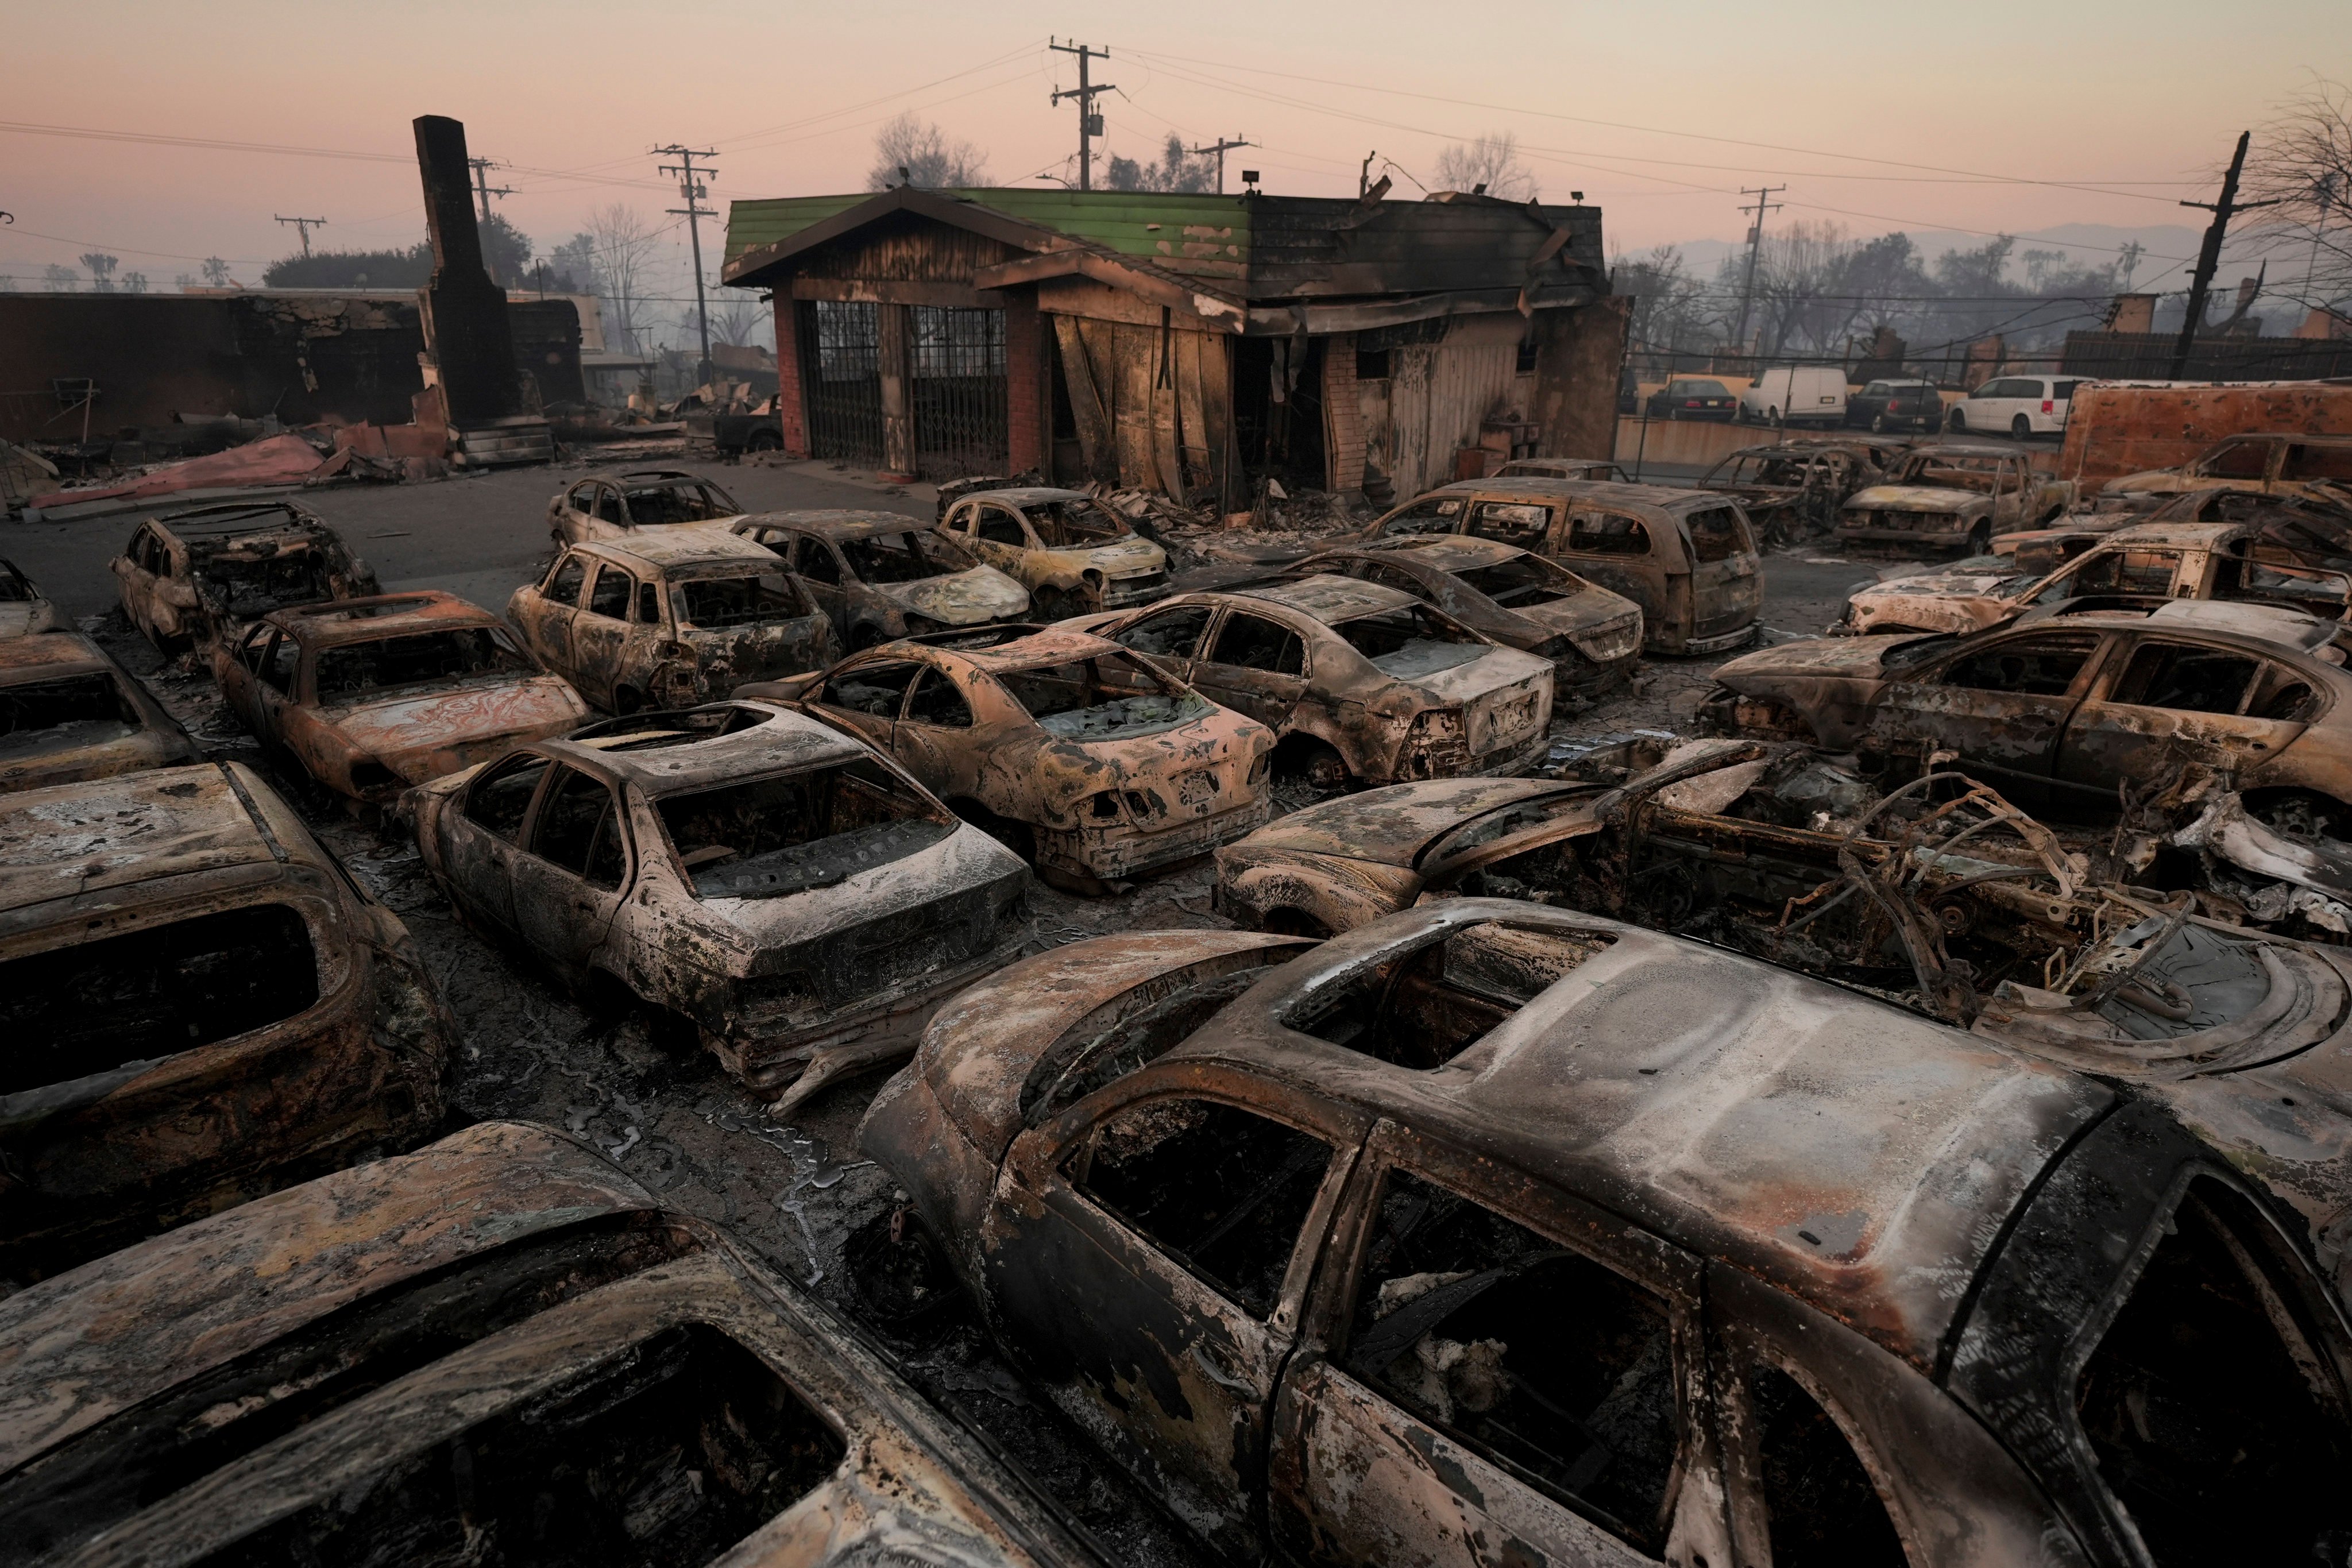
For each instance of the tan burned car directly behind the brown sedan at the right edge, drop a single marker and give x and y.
(2134, 568)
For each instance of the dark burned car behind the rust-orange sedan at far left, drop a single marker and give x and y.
(201, 575)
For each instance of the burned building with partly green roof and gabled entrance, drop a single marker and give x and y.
(1191, 344)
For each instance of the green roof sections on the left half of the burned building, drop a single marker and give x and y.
(1205, 236)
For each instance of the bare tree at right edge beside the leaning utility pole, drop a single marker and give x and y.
(2304, 163)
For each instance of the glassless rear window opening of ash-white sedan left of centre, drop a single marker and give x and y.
(801, 831)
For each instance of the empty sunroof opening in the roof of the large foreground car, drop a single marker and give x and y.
(1426, 1007)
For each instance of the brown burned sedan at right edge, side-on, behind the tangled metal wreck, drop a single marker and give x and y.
(2059, 713)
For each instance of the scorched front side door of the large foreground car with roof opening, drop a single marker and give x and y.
(1034, 1188)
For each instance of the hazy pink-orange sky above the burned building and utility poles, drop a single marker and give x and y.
(1880, 116)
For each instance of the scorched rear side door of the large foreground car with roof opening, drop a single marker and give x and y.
(1448, 1473)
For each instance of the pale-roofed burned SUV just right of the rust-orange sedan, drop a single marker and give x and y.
(669, 619)
